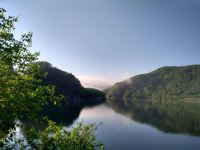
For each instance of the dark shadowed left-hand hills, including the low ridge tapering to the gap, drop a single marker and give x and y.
(67, 84)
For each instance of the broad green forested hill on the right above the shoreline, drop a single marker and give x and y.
(163, 83)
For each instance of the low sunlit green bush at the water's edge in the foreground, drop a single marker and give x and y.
(81, 137)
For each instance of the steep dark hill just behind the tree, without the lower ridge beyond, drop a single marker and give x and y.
(65, 83)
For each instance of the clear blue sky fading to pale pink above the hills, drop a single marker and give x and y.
(106, 41)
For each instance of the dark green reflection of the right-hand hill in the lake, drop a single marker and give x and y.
(167, 116)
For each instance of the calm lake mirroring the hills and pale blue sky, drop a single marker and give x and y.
(133, 125)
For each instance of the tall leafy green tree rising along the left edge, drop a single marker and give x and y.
(21, 93)
